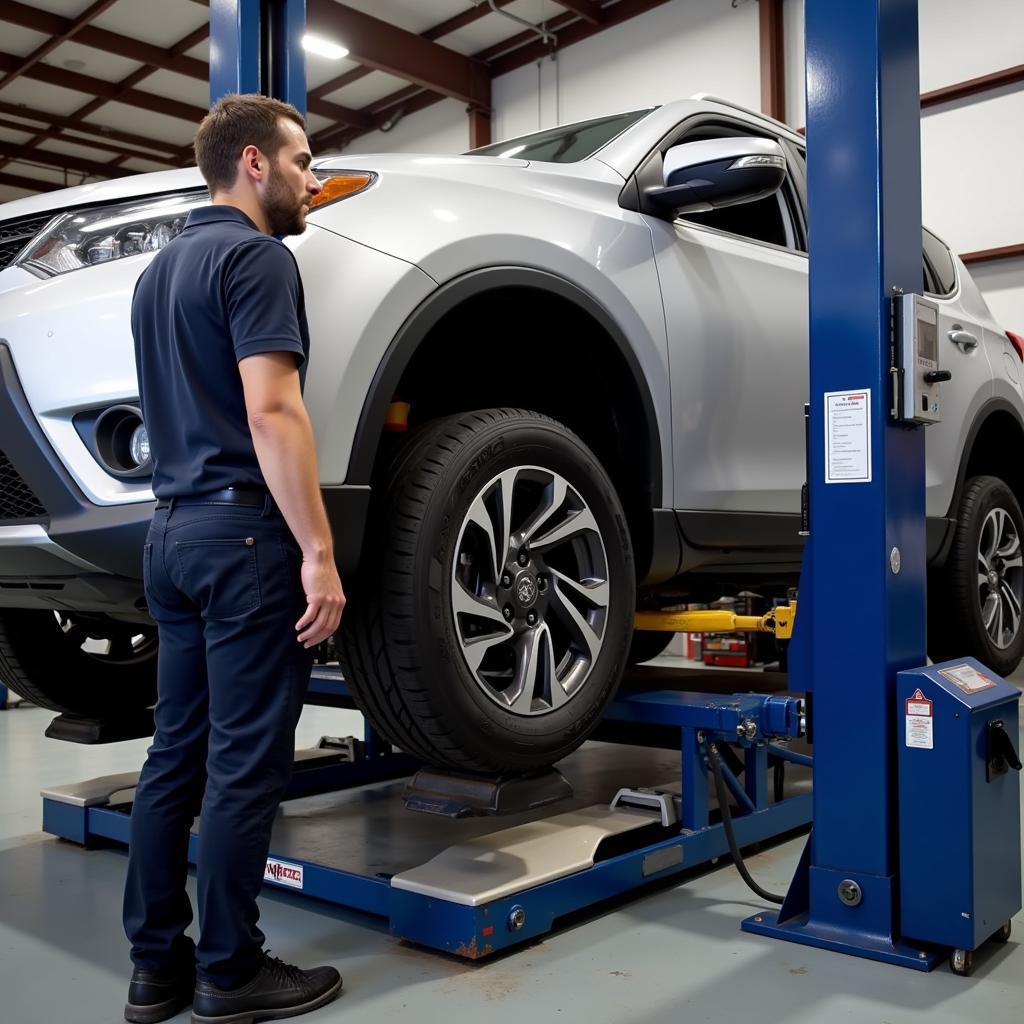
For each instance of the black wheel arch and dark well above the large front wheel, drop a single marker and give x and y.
(423, 366)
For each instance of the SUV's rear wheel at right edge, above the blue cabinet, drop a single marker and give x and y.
(969, 615)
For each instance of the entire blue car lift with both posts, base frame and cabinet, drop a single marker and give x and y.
(870, 882)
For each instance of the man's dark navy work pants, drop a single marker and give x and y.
(223, 583)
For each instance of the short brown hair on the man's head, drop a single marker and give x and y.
(235, 122)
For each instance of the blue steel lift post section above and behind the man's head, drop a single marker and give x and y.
(257, 47)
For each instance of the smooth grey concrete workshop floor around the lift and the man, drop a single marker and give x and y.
(674, 955)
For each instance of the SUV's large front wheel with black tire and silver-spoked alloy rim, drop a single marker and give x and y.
(425, 647)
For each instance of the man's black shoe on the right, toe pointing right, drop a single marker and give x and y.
(278, 991)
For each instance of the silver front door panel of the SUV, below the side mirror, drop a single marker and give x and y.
(735, 287)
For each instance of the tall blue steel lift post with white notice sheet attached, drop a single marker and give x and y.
(867, 550)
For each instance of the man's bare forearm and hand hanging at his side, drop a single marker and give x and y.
(283, 438)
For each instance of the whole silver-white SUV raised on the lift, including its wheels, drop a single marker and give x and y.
(553, 381)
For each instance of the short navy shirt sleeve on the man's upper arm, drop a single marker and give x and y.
(263, 296)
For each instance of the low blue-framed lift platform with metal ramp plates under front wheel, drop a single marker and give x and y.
(480, 883)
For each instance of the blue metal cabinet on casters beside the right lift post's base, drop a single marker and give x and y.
(960, 830)
